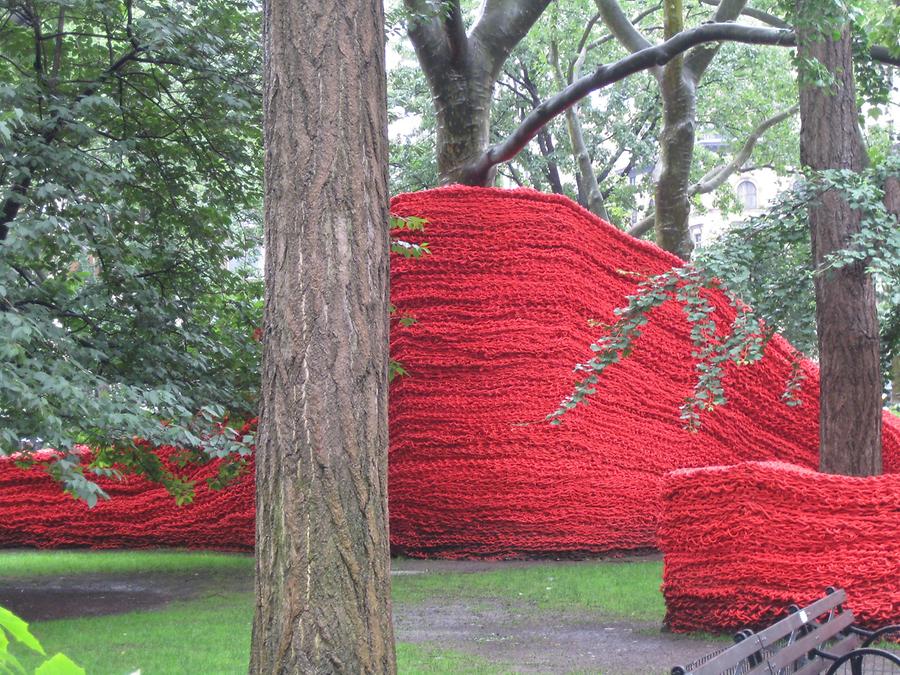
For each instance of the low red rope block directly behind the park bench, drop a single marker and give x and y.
(743, 542)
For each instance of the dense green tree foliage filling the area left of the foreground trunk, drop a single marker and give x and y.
(131, 171)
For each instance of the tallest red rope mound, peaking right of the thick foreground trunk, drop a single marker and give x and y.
(503, 306)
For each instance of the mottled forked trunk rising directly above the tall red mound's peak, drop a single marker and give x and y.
(461, 70)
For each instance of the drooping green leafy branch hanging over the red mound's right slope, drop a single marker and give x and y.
(877, 245)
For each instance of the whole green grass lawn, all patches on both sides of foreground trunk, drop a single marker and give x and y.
(211, 634)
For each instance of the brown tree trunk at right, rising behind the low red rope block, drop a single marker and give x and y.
(847, 321)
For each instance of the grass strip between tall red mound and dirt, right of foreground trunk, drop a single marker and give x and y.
(617, 589)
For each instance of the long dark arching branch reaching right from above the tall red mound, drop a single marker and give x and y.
(605, 75)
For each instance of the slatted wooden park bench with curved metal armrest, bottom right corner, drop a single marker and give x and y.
(820, 638)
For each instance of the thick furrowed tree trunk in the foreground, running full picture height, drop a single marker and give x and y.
(322, 557)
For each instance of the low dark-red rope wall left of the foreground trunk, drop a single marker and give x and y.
(35, 512)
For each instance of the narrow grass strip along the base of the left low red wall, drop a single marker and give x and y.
(59, 563)
